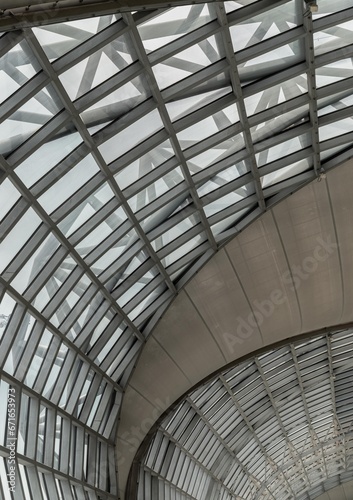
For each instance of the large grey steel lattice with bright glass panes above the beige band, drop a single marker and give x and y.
(131, 147)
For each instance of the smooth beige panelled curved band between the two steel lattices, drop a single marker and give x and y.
(287, 274)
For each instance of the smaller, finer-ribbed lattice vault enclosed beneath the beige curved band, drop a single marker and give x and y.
(279, 426)
